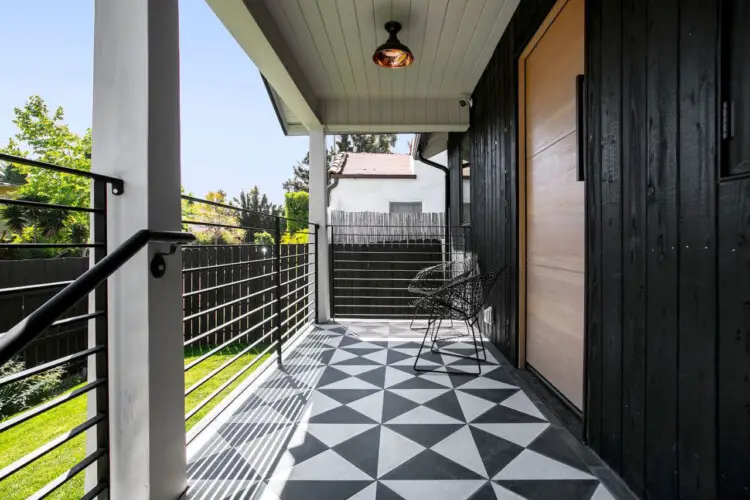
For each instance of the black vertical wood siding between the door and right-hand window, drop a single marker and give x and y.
(652, 248)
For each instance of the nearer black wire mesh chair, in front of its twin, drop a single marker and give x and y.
(461, 300)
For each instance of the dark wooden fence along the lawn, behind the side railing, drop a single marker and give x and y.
(217, 279)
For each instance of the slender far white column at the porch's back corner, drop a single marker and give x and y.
(319, 215)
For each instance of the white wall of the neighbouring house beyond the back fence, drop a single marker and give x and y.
(375, 195)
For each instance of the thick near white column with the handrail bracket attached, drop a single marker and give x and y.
(136, 136)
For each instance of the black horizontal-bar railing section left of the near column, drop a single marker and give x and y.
(49, 366)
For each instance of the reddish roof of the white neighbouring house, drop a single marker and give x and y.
(372, 166)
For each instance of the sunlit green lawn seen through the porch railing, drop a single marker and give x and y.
(24, 438)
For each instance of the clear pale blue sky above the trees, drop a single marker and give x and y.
(231, 138)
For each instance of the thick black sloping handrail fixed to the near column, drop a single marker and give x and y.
(18, 337)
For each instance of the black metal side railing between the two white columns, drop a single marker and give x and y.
(249, 285)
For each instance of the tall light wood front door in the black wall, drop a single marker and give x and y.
(555, 215)
